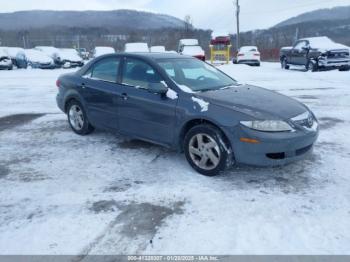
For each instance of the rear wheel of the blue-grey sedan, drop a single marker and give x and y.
(77, 118)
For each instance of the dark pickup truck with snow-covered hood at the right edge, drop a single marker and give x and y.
(316, 53)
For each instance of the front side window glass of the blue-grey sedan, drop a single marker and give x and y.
(139, 74)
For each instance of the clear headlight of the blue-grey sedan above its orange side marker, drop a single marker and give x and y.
(268, 125)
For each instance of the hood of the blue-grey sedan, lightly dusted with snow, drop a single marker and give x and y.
(255, 101)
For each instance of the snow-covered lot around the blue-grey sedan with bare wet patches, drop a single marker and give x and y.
(101, 194)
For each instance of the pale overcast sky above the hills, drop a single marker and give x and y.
(207, 14)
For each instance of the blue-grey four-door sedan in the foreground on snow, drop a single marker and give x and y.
(183, 103)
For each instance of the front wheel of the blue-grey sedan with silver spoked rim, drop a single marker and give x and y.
(206, 150)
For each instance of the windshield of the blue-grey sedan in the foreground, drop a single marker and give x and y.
(195, 74)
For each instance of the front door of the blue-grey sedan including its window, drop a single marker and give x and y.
(142, 113)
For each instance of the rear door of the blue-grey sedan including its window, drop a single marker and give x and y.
(100, 91)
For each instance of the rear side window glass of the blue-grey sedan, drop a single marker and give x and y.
(105, 70)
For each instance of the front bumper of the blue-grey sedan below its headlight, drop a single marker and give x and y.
(273, 149)
